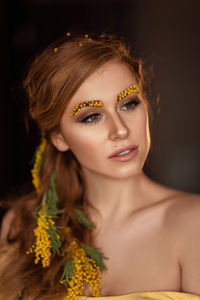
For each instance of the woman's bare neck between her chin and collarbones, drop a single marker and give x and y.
(115, 199)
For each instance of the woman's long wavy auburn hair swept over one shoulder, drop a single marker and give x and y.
(53, 78)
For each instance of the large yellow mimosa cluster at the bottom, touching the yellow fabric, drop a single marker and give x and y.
(85, 271)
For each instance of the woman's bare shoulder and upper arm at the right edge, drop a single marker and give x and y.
(183, 225)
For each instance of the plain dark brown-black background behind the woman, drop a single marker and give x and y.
(164, 33)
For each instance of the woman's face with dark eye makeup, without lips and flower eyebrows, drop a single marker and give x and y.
(97, 131)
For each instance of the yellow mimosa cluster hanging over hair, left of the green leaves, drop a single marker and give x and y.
(42, 246)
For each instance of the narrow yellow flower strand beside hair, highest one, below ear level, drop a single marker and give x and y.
(35, 171)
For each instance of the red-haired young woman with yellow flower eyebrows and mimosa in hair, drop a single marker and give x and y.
(96, 227)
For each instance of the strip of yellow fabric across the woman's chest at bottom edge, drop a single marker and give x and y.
(163, 295)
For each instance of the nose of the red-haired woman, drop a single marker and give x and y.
(117, 127)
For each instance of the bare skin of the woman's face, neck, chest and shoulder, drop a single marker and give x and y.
(140, 224)
